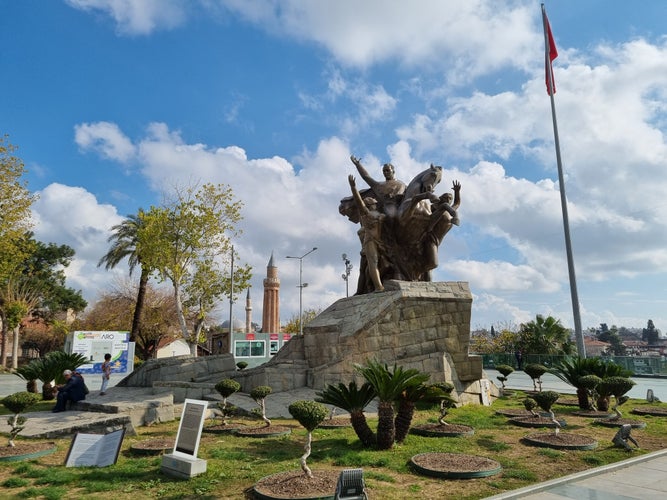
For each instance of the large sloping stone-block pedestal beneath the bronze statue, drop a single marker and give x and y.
(412, 324)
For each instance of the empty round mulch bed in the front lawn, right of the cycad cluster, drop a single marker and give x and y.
(454, 465)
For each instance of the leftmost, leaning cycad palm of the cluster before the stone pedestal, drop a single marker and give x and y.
(353, 400)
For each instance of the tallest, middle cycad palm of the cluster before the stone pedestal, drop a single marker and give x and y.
(388, 385)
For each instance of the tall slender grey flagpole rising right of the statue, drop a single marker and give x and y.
(581, 348)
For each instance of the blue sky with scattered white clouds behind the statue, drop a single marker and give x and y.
(111, 102)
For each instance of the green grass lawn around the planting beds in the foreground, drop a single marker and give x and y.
(235, 463)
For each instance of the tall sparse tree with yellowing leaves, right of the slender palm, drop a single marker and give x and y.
(187, 242)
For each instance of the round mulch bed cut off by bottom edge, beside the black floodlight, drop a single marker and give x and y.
(295, 484)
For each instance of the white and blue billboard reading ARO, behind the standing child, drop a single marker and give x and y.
(94, 345)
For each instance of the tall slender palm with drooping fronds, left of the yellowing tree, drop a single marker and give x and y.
(125, 239)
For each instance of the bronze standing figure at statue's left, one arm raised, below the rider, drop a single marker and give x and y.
(370, 233)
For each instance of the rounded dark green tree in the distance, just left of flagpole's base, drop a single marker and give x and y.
(545, 336)
